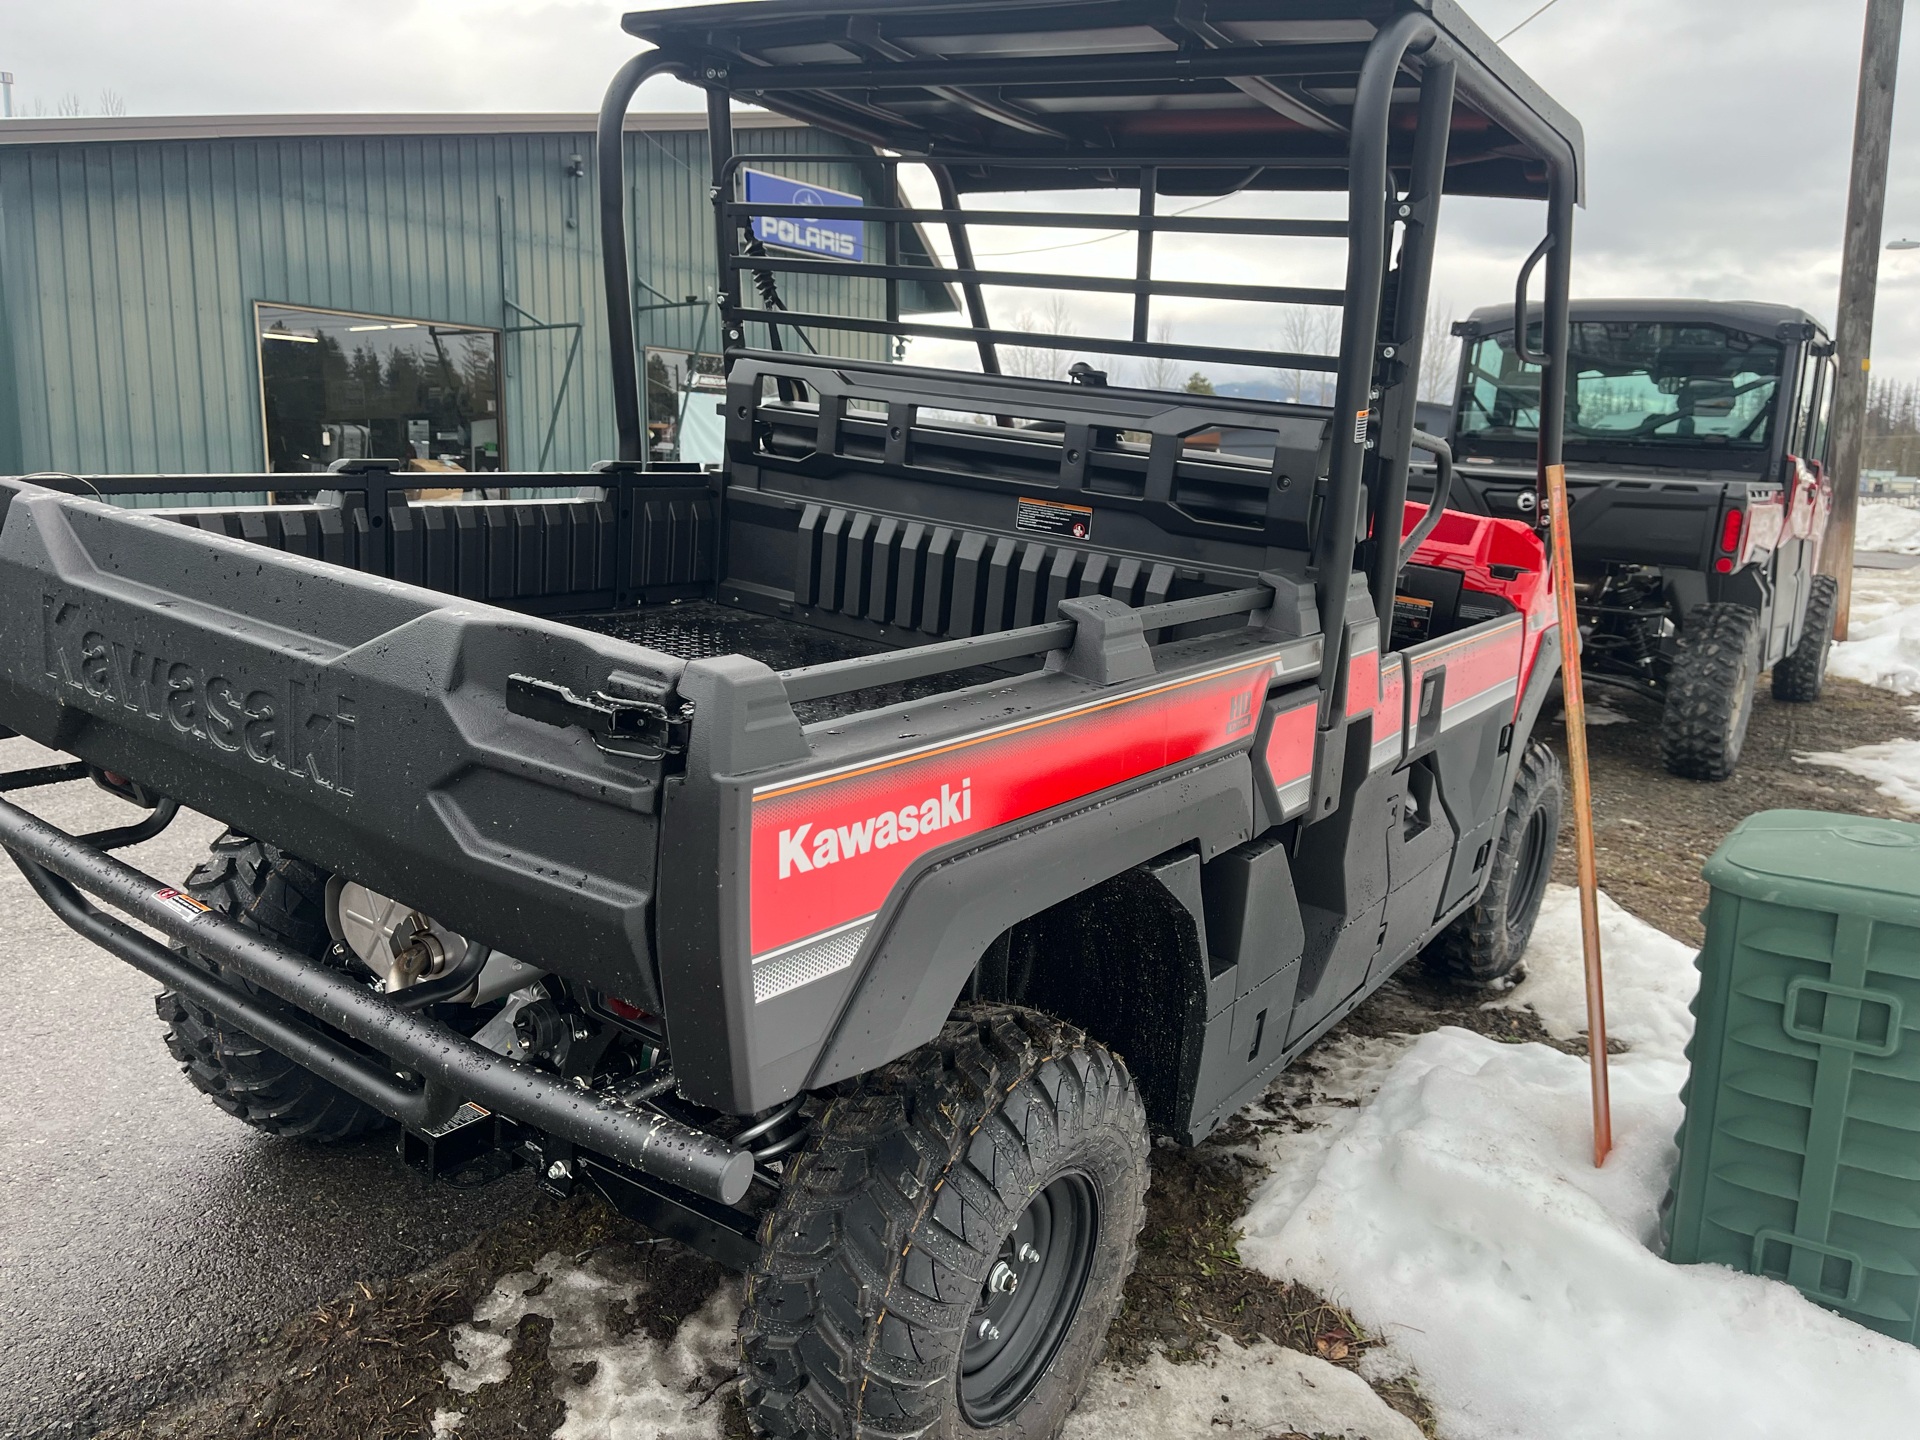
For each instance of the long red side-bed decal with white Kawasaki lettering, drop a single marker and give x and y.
(828, 850)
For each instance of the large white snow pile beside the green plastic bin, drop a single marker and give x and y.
(1460, 1216)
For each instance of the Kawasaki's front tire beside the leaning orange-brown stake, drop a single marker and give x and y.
(1485, 946)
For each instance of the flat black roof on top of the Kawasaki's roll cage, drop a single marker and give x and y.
(1174, 80)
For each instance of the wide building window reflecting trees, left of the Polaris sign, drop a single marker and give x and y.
(341, 387)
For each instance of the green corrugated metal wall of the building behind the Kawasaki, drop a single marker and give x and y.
(130, 274)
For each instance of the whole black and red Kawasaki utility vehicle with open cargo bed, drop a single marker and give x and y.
(848, 859)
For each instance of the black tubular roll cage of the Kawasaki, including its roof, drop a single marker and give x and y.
(1395, 103)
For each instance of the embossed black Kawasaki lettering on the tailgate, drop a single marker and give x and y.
(287, 725)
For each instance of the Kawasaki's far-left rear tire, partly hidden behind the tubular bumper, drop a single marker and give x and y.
(270, 892)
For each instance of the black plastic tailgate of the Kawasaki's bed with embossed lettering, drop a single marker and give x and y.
(354, 721)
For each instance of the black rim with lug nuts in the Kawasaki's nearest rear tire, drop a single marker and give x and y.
(1028, 1301)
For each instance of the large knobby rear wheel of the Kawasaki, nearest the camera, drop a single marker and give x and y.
(1009, 1147)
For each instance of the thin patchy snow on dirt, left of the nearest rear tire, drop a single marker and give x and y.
(638, 1389)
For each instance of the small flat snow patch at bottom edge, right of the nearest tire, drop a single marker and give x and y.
(1260, 1391)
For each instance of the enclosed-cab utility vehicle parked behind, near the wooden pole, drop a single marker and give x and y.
(1696, 448)
